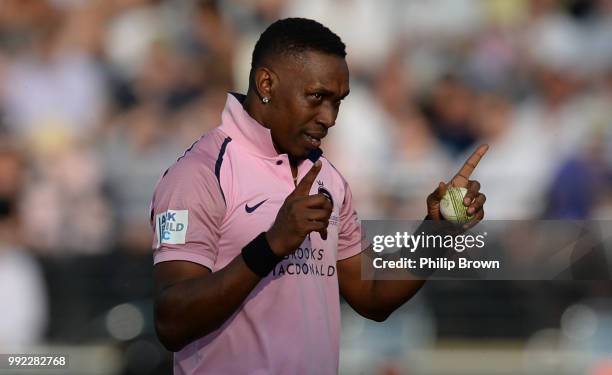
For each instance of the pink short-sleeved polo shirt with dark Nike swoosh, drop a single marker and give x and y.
(224, 191)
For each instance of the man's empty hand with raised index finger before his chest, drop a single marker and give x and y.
(299, 215)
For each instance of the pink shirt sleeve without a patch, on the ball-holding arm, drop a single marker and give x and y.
(349, 236)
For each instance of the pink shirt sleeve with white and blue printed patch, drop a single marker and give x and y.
(186, 214)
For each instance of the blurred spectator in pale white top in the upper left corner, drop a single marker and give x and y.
(50, 65)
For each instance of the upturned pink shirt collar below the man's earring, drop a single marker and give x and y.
(241, 127)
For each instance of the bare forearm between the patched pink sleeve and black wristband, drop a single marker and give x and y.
(193, 308)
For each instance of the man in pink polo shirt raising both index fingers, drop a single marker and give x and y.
(255, 231)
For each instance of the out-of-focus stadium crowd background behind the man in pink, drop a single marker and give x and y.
(99, 97)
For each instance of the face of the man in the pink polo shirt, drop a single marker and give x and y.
(305, 101)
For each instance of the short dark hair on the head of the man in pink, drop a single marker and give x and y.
(293, 36)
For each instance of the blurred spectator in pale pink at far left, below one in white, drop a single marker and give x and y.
(64, 209)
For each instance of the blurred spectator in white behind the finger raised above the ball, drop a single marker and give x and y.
(518, 172)
